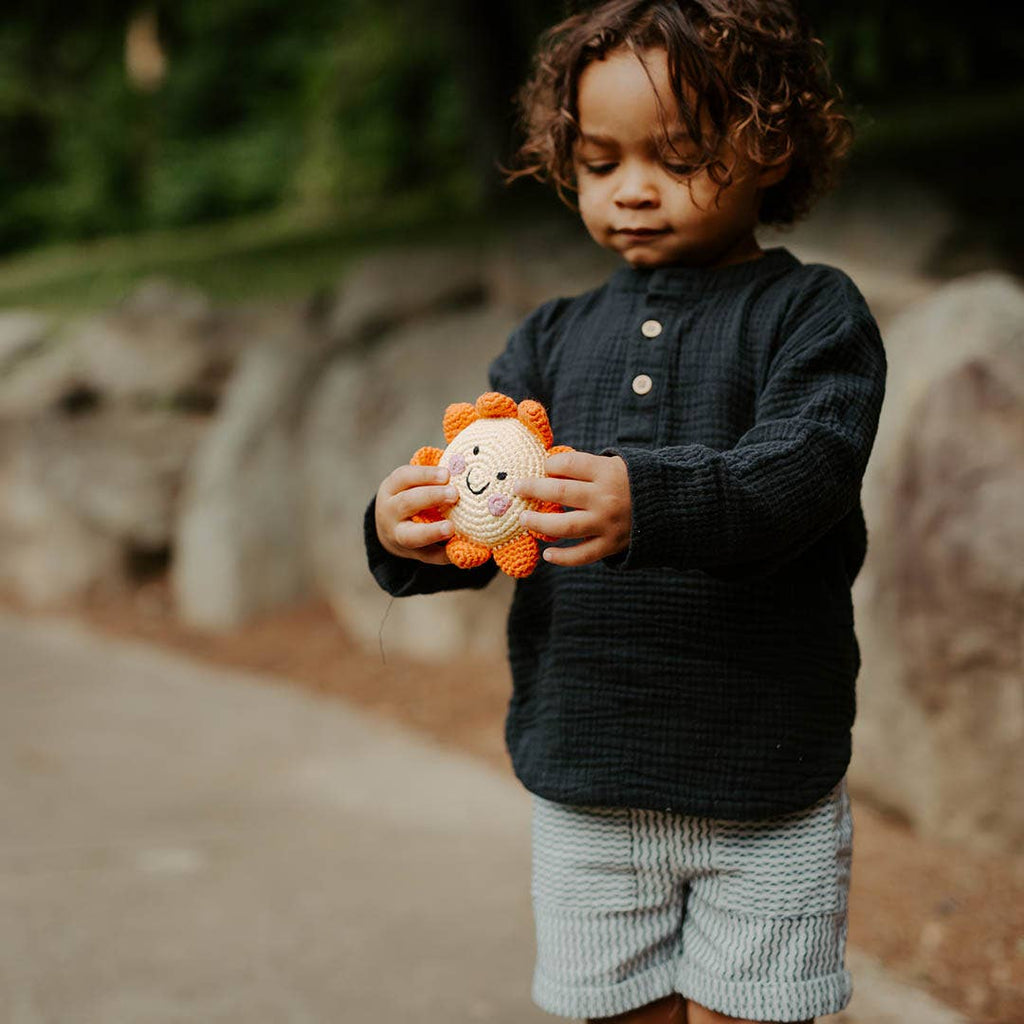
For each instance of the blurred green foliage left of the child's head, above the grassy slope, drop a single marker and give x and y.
(264, 103)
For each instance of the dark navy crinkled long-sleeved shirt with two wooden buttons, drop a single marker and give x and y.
(710, 668)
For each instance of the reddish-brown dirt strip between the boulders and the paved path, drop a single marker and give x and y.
(946, 919)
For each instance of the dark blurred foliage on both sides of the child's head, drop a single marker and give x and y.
(343, 106)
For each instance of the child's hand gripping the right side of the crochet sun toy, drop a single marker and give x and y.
(598, 487)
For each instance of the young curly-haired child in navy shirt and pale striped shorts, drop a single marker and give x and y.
(685, 658)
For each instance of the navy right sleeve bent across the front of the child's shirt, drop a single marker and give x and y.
(789, 480)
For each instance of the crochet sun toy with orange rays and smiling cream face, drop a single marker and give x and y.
(491, 446)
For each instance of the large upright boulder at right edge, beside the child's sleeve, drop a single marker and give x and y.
(941, 603)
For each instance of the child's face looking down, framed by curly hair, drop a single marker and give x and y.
(636, 196)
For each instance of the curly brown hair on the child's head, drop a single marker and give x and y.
(746, 73)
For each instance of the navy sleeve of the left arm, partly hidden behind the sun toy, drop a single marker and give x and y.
(515, 373)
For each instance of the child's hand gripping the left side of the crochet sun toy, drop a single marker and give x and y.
(407, 491)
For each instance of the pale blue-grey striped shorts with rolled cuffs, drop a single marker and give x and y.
(746, 918)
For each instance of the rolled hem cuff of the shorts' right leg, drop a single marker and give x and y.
(782, 1001)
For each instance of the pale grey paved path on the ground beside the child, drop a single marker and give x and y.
(182, 843)
